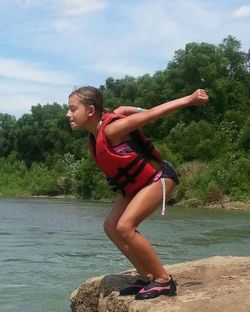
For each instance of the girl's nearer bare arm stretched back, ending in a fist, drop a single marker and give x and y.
(122, 127)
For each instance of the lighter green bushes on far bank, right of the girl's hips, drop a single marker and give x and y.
(209, 183)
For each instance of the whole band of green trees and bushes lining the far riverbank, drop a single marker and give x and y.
(210, 145)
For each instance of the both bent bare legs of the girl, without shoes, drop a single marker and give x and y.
(125, 219)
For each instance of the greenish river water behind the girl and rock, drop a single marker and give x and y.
(49, 246)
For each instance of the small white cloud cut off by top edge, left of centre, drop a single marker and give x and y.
(79, 7)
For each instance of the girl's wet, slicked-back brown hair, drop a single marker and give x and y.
(91, 96)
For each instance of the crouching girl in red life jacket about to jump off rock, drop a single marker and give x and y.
(136, 169)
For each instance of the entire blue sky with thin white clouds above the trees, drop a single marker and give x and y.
(49, 47)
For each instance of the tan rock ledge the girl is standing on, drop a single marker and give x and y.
(212, 284)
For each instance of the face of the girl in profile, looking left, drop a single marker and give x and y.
(78, 113)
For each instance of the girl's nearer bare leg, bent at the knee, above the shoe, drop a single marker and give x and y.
(140, 207)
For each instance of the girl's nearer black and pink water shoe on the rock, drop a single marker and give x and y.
(155, 289)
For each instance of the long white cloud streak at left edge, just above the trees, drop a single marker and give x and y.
(18, 69)
